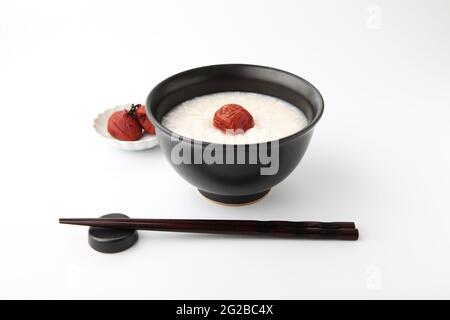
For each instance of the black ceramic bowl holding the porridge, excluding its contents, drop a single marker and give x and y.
(229, 181)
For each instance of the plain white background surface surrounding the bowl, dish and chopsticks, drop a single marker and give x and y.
(380, 155)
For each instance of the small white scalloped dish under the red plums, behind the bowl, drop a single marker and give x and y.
(147, 141)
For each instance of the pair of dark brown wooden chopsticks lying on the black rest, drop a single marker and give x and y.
(280, 229)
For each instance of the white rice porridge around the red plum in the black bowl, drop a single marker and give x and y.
(273, 118)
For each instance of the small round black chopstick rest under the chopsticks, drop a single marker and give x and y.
(108, 240)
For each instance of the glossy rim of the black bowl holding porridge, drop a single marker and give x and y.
(305, 130)
